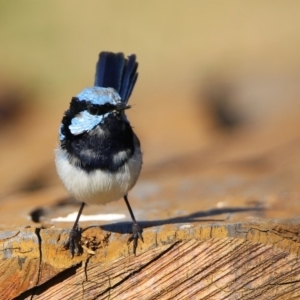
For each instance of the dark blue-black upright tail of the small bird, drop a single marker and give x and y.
(115, 71)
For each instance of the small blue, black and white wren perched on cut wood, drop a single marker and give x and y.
(99, 157)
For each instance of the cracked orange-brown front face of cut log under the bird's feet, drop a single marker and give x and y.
(188, 260)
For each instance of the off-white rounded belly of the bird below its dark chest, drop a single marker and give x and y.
(98, 187)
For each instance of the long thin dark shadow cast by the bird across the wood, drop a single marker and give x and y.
(126, 227)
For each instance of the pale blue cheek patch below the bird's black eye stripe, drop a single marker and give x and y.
(84, 121)
